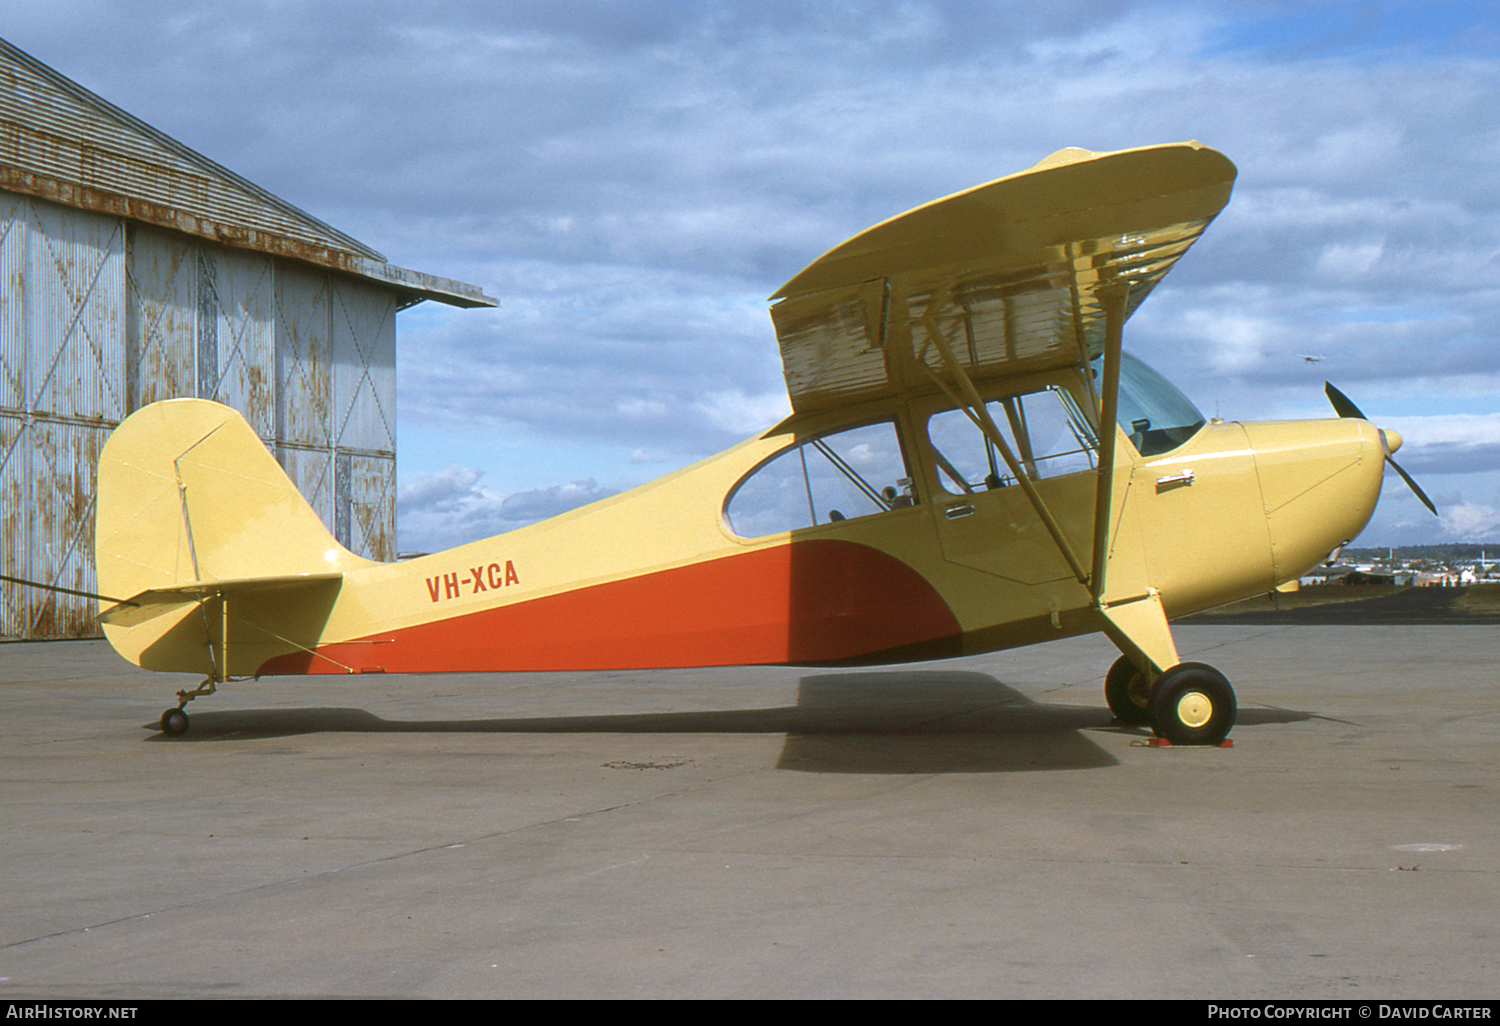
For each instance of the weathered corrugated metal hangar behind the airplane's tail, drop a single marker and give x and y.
(136, 269)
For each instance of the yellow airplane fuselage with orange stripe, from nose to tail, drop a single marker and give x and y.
(659, 577)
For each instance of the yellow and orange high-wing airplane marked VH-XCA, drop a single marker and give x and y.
(971, 464)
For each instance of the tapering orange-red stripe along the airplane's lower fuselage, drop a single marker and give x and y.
(808, 602)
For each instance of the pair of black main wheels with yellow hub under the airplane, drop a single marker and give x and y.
(1189, 704)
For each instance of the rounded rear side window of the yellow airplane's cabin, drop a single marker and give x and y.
(841, 476)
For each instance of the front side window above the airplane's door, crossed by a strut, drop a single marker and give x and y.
(1045, 430)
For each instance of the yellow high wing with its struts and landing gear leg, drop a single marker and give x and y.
(1028, 274)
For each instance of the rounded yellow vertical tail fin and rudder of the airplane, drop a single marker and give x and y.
(193, 508)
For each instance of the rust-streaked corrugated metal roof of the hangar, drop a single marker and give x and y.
(62, 143)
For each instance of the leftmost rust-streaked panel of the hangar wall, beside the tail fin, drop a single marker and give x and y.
(62, 361)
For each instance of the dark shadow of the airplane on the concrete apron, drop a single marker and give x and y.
(857, 722)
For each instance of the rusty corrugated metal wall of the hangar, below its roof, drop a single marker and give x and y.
(101, 317)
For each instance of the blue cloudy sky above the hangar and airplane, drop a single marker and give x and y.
(631, 179)
